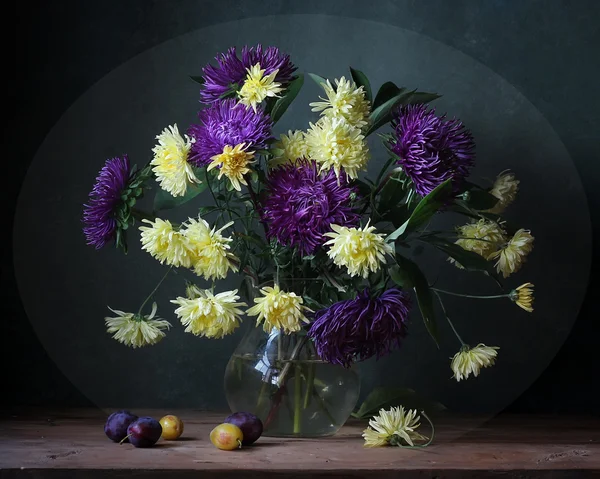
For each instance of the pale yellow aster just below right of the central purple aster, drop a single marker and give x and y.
(361, 250)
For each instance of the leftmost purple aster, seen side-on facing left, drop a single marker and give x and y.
(99, 219)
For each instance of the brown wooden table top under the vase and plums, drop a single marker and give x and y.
(66, 444)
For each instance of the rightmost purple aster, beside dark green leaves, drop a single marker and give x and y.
(431, 149)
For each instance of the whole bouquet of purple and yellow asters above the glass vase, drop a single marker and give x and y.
(321, 247)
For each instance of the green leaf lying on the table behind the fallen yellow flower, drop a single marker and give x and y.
(385, 398)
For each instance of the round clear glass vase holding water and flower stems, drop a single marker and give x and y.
(281, 379)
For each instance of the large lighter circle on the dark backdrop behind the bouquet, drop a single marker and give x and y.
(66, 285)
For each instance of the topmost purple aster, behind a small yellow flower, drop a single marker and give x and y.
(231, 71)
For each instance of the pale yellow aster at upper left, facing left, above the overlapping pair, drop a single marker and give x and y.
(170, 165)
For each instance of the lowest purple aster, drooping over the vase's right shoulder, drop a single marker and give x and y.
(359, 328)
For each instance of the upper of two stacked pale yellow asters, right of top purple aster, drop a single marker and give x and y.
(346, 101)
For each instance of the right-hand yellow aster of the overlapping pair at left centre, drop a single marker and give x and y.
(210, 255)
